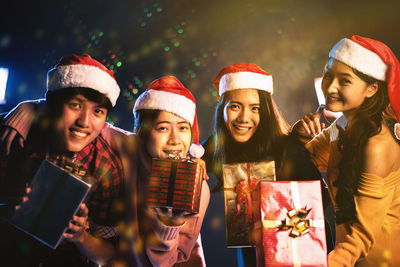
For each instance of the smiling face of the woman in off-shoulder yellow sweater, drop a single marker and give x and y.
(343, 89)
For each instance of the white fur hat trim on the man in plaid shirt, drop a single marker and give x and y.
(80, 75)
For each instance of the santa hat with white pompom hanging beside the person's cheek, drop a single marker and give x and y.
(168, 94)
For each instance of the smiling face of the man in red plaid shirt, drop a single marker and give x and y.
(81, 121)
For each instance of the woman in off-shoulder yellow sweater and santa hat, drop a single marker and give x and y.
(362, 158)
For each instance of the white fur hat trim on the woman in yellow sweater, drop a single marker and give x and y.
(360, 58)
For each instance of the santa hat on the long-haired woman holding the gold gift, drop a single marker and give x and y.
(242, 76)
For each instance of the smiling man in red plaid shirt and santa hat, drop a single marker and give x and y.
(80, 92)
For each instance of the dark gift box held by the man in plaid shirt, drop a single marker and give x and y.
(56, 194)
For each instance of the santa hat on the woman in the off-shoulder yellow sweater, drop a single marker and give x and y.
(374, 59)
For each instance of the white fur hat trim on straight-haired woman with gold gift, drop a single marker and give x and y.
(242, 80)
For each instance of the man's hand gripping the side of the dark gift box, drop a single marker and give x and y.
(78, 225)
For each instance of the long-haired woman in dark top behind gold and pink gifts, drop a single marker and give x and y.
(247, 127)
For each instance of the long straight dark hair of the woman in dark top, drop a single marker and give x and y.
(267, 140)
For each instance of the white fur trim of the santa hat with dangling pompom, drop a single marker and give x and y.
(166, 101)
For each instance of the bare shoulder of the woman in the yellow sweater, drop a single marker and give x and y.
(381, 154)
